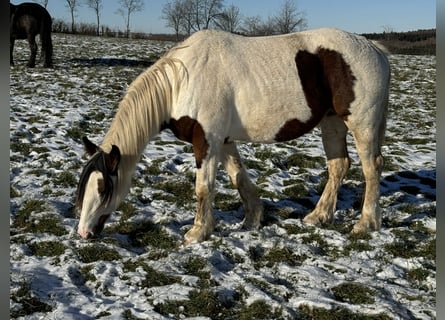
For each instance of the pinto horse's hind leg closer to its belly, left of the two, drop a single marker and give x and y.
(333, 131)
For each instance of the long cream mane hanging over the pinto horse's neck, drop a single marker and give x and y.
(144, 108)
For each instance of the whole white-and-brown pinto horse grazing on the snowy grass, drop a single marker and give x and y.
(216, 88)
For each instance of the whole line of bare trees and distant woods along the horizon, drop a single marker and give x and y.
(185, 17)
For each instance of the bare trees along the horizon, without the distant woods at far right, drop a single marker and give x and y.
(185, 17)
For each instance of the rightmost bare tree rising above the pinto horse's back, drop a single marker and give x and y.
(289, 19)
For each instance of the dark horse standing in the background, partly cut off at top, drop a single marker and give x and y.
(26, 21)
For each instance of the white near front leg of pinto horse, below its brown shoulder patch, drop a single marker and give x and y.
(205, 184)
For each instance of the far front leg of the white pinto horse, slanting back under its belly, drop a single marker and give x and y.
(253, 206)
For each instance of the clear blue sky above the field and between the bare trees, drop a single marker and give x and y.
(360, 16)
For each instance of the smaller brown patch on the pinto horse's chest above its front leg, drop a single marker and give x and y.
(188, 129)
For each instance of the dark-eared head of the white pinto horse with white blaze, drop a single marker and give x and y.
(96, 192)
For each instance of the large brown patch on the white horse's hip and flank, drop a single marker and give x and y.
(327, 81)
